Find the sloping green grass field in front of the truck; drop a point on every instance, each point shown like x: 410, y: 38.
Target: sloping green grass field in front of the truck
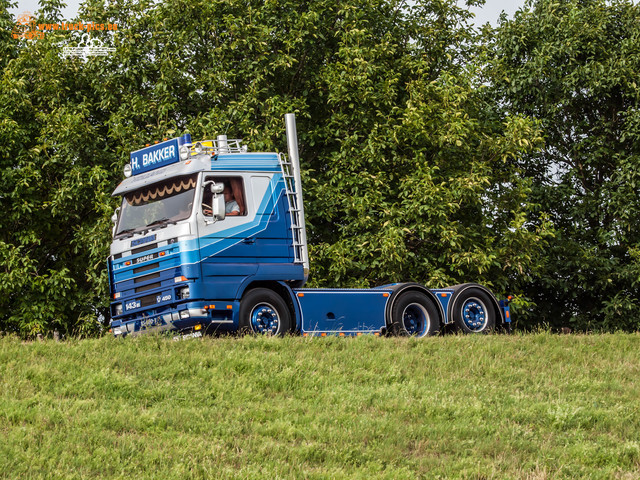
x: 522, y: 406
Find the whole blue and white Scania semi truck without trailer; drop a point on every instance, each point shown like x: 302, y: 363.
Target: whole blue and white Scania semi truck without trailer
x: 211, y: 238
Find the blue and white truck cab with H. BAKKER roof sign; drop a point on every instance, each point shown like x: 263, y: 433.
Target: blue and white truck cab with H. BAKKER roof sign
x: 179, y: 261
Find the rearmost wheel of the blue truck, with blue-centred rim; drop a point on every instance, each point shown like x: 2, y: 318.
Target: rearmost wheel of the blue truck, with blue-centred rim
x: 473, y: 311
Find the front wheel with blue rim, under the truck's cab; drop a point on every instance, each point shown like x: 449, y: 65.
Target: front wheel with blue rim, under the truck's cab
x: 263, y: 311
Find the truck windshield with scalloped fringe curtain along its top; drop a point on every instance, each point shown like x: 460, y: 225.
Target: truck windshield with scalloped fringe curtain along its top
x: 158, y: 204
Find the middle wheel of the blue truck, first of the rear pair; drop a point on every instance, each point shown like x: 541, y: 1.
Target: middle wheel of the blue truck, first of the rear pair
x: 414, y: 314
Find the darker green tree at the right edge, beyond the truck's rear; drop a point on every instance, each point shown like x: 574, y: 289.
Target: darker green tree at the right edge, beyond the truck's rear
x: 573, y: 66
